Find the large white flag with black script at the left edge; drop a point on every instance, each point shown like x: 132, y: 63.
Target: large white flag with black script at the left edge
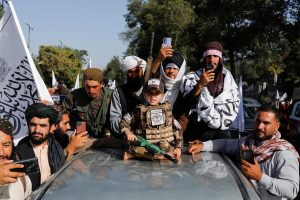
x: 21, y: 84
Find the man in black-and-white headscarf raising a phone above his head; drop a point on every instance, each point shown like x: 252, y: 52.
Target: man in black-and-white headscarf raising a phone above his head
x: 172, y: 68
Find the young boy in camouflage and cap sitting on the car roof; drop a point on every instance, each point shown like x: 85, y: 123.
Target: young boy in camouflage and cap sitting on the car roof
x: 154, y: 122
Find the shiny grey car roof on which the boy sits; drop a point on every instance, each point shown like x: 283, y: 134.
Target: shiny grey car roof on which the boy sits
x: 103, y: 174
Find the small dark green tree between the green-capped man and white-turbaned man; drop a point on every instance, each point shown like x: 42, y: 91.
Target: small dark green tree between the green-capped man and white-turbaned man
x: 114, y: 72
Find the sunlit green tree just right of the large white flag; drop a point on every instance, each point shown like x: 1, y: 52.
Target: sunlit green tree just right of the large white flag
x: 65, y: 62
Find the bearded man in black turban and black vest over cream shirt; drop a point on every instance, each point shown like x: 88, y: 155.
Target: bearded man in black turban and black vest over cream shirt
x: 40, y: 142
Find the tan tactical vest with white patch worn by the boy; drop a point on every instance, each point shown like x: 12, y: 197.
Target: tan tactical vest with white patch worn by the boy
x: 156, y: 123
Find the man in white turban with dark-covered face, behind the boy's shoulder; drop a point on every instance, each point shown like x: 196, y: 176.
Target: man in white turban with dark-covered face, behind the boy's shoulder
x: 127, y: 96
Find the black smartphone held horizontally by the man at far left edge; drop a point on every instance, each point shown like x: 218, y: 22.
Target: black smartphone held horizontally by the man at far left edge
x: 30, y: 166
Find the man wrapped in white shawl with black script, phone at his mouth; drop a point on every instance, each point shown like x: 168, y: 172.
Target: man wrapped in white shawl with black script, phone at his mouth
x: 208, y: 99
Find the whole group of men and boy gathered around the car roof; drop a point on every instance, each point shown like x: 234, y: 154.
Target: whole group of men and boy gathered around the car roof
x: 201, y: 106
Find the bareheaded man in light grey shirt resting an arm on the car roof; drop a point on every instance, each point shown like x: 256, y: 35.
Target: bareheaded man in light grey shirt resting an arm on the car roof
x: 276, y: 167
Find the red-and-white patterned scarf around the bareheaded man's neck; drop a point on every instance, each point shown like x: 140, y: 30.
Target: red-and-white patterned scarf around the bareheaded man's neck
x: 264, y: 150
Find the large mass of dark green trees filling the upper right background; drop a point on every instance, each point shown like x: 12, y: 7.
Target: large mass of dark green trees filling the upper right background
x: 262, y: 35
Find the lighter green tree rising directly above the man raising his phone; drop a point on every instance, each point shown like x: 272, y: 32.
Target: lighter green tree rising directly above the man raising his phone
x: 164, y: 17
